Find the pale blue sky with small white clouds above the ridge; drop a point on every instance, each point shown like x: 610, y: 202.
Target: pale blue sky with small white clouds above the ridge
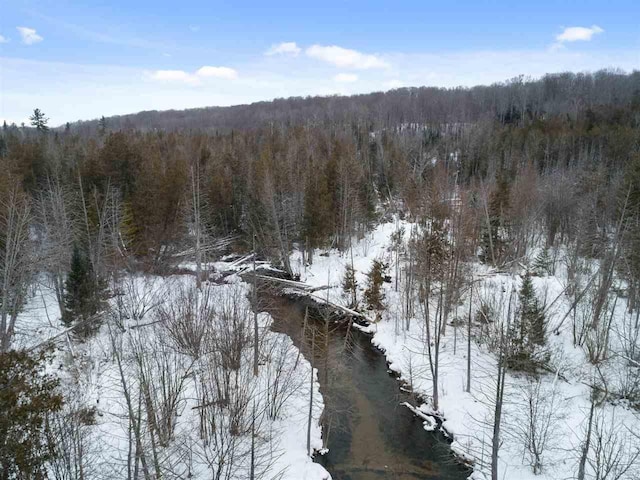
x: 81, y: 60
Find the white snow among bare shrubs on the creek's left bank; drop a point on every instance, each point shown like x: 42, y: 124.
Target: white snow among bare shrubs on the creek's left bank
x: 90, y: 377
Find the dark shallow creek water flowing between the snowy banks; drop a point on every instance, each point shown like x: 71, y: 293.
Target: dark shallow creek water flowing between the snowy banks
x: 370, y: 436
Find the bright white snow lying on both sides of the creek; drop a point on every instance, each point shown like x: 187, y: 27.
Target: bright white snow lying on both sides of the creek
x: 93, y: 379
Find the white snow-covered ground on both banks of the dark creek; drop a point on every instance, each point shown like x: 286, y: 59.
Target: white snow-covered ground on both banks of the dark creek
x: 92, y: 378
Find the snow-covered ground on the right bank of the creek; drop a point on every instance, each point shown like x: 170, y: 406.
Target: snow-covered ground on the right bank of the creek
x: 563, y: 393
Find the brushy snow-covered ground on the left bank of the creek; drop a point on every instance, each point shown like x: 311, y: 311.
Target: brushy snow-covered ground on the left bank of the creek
x: 91, y: 377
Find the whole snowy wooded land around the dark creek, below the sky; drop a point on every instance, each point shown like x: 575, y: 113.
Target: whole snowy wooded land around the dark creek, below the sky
x: 512, y: 220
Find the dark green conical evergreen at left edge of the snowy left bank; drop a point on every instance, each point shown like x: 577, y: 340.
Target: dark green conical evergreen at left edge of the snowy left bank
x: 84, y: 294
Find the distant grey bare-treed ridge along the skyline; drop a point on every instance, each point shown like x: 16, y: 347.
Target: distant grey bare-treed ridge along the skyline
x: 514, y: 101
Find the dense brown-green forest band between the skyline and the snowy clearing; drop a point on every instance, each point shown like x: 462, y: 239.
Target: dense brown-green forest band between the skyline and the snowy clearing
x: 560, y: 153
